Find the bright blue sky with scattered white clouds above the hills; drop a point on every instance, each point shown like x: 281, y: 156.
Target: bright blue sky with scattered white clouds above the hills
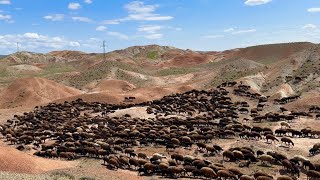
x: 47, y: 25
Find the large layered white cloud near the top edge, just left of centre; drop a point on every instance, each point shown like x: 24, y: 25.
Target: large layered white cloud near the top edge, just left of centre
x: 138, y: 11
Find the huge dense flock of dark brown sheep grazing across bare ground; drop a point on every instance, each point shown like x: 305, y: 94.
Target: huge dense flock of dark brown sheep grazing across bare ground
x: 192, y: 120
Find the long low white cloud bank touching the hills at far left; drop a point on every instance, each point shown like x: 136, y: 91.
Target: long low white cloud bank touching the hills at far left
x: 35, y: 42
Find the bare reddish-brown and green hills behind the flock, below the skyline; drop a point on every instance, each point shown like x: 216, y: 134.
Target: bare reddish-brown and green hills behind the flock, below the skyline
x: 152, y: 71
